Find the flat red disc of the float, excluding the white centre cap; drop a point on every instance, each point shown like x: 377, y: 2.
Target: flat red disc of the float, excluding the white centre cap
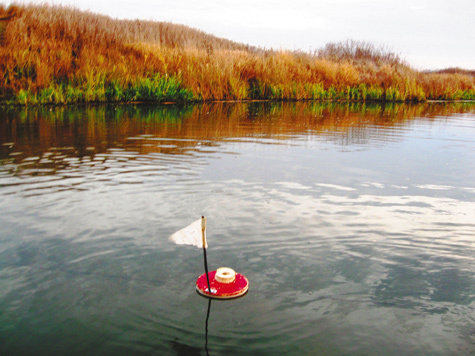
x: 220, y: 290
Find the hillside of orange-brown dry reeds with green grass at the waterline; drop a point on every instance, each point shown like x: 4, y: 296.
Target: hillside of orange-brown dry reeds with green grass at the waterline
x: 54, y: 54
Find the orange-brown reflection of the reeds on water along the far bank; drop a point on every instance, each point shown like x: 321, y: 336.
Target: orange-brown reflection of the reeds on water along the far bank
x: 86, y: 132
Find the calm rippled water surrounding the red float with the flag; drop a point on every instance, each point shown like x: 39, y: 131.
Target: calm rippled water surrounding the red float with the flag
x: 354, y: 224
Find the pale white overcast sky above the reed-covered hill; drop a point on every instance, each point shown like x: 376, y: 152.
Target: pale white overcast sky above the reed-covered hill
x: 427, y: 34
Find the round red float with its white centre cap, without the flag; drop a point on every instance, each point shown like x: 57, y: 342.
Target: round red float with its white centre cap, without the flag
x: 224, y: 284
